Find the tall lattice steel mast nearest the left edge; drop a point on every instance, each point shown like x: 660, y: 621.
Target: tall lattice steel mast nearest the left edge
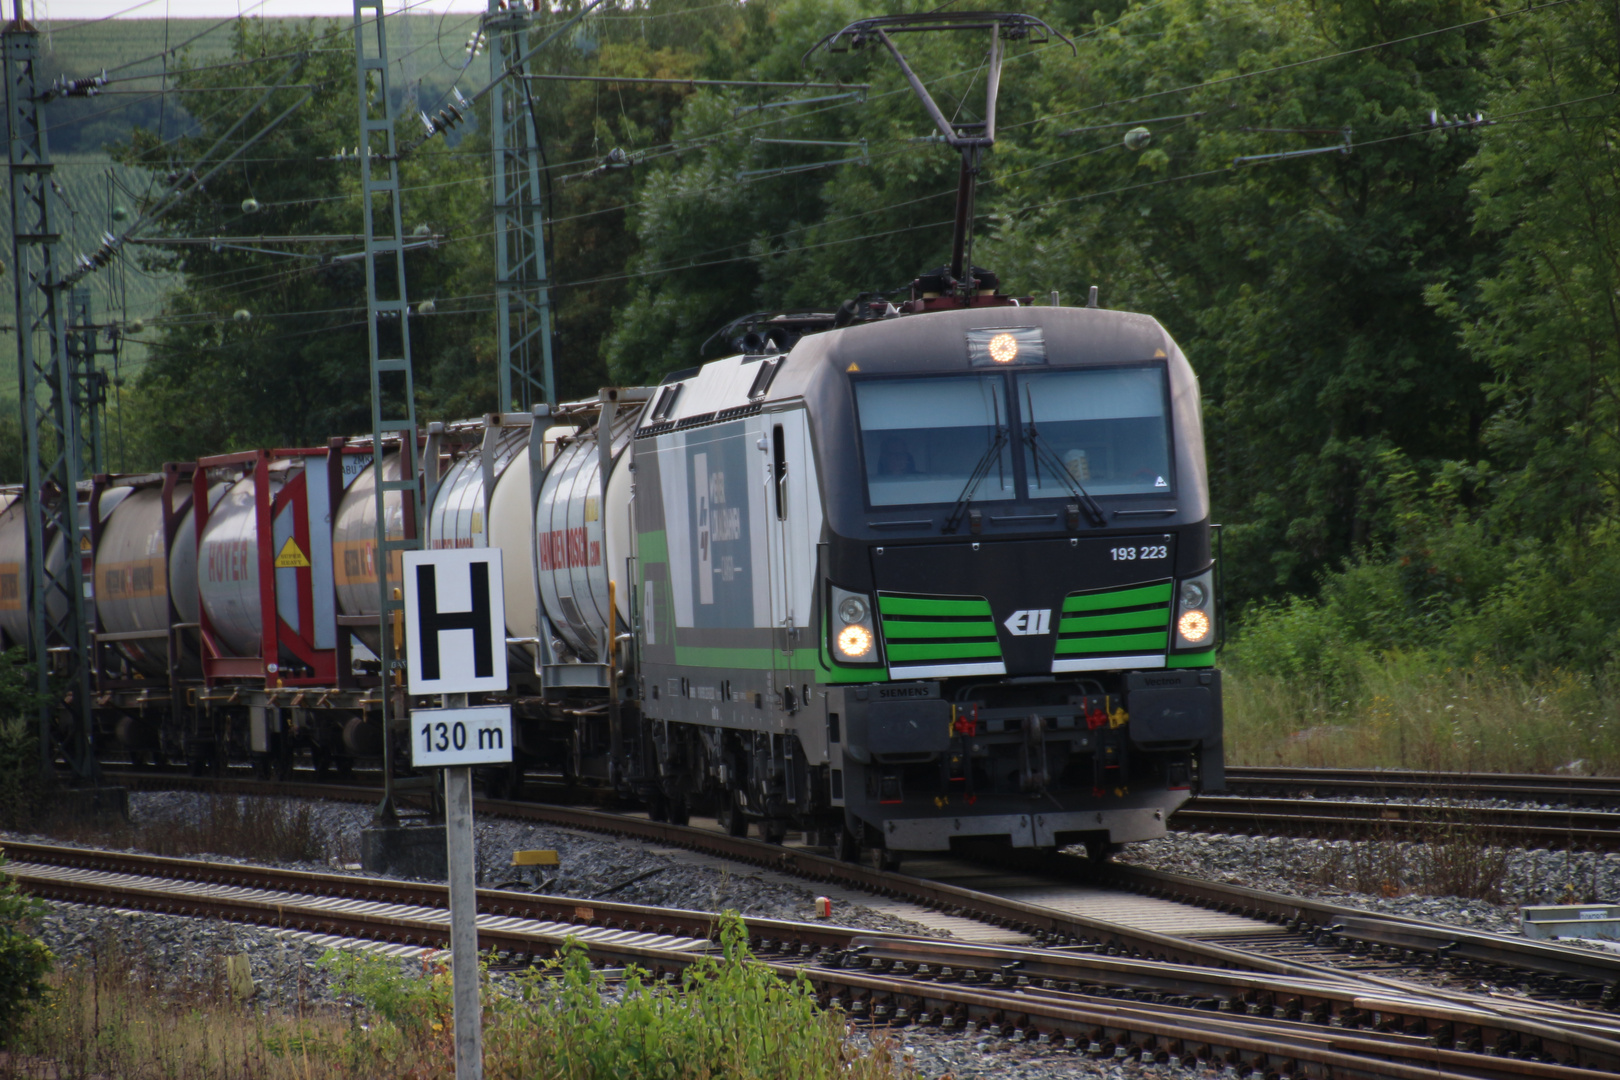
x: 54, y: 595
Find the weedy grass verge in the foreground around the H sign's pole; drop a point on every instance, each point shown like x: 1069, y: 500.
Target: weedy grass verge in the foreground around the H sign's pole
x: 727, y: 1019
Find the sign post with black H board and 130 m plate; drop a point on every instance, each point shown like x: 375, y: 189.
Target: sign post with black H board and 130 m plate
x: 456, y: 645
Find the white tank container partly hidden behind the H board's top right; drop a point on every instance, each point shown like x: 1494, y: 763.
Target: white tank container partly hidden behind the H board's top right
x: 458, y: 519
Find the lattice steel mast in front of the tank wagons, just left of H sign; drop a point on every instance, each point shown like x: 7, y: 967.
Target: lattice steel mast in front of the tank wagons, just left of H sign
x: 388, y: 323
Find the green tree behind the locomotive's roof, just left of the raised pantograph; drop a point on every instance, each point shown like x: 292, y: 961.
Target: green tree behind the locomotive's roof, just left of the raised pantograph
x: 741, y: 224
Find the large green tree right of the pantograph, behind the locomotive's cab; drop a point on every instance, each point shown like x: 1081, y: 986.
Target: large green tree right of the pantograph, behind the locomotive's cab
x: 1297, y: 286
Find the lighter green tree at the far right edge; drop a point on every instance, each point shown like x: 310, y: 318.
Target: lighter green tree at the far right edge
x: 1548, y: 320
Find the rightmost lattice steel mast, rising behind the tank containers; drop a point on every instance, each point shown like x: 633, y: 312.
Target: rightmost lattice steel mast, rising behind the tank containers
x: 522, y: 287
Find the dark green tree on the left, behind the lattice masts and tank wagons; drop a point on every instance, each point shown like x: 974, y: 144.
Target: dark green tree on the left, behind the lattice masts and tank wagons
x: 266, y: 346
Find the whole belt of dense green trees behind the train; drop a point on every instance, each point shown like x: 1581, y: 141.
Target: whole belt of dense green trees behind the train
x: 1409, y: 346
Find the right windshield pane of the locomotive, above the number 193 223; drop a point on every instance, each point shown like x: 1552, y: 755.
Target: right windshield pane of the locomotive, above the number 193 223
x: 1107, y: 427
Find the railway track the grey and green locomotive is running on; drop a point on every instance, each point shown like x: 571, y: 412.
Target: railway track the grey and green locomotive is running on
x: 1274, y: 933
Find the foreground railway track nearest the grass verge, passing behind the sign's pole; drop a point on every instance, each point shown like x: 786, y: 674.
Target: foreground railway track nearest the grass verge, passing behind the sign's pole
x: 1081, y: 1001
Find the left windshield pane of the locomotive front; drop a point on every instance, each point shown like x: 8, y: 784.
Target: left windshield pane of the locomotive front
x: 923, y: 438
